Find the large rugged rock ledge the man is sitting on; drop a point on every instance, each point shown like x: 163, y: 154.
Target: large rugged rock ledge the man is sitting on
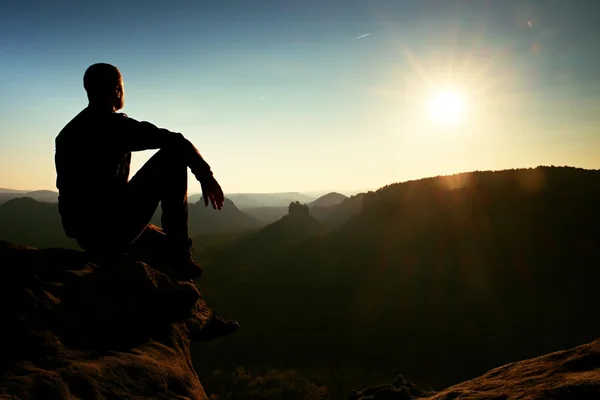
x: 78, y: 327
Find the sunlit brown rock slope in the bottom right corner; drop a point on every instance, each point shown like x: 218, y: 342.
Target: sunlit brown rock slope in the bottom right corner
x: 572, y: 374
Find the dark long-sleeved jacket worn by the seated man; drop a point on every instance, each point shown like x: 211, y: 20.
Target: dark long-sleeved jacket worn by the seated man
x: 93, y: 156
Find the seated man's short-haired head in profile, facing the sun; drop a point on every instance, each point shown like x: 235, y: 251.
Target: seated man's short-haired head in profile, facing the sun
x: 104, y: 86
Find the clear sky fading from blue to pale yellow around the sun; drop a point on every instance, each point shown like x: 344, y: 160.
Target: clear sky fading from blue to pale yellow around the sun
x: 313, y: 94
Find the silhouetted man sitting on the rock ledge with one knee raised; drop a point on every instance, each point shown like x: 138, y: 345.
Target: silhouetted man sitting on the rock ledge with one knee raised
x: 99, y: 205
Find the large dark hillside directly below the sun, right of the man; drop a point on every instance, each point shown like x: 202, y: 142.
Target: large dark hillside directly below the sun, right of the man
x: 483, y: 267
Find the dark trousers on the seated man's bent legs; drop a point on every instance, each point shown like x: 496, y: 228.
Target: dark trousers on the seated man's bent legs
x: 163, y: 179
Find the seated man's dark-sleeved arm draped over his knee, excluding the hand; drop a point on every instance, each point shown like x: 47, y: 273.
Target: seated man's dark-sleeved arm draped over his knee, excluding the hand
x: 141, y: 135
